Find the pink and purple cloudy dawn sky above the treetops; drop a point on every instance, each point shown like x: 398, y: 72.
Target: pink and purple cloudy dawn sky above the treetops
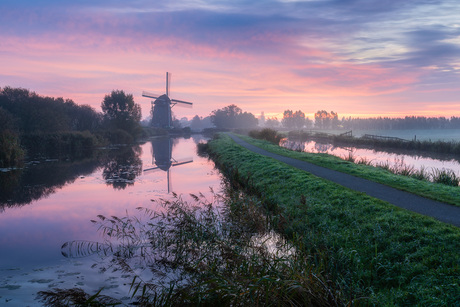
x: 359, y: 58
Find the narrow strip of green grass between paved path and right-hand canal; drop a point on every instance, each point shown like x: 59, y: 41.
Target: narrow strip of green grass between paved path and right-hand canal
x: 435, y: 191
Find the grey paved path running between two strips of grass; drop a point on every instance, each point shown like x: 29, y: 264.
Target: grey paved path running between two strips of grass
x: 441, y: 211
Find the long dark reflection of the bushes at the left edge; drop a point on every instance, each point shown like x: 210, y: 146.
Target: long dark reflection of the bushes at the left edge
x: 21, y: 187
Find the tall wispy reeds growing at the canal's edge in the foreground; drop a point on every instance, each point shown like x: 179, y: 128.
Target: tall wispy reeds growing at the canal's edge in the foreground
x: 212, y: 253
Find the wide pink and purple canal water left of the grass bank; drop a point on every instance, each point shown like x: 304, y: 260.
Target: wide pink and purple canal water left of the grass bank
x: 51, y: 202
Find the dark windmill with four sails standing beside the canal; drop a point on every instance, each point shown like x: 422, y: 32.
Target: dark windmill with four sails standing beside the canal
x: 161, y: 115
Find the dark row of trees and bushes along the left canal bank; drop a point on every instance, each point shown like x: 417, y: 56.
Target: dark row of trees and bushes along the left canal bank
x: 39, y: 122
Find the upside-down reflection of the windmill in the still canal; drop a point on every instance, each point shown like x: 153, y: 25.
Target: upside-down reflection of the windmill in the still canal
x: 162, y: 158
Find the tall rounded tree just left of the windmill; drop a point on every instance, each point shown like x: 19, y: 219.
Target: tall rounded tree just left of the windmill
x: 121, y: 112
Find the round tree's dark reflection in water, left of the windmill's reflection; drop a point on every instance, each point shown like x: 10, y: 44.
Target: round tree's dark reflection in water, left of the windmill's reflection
x: 122, y: 166
